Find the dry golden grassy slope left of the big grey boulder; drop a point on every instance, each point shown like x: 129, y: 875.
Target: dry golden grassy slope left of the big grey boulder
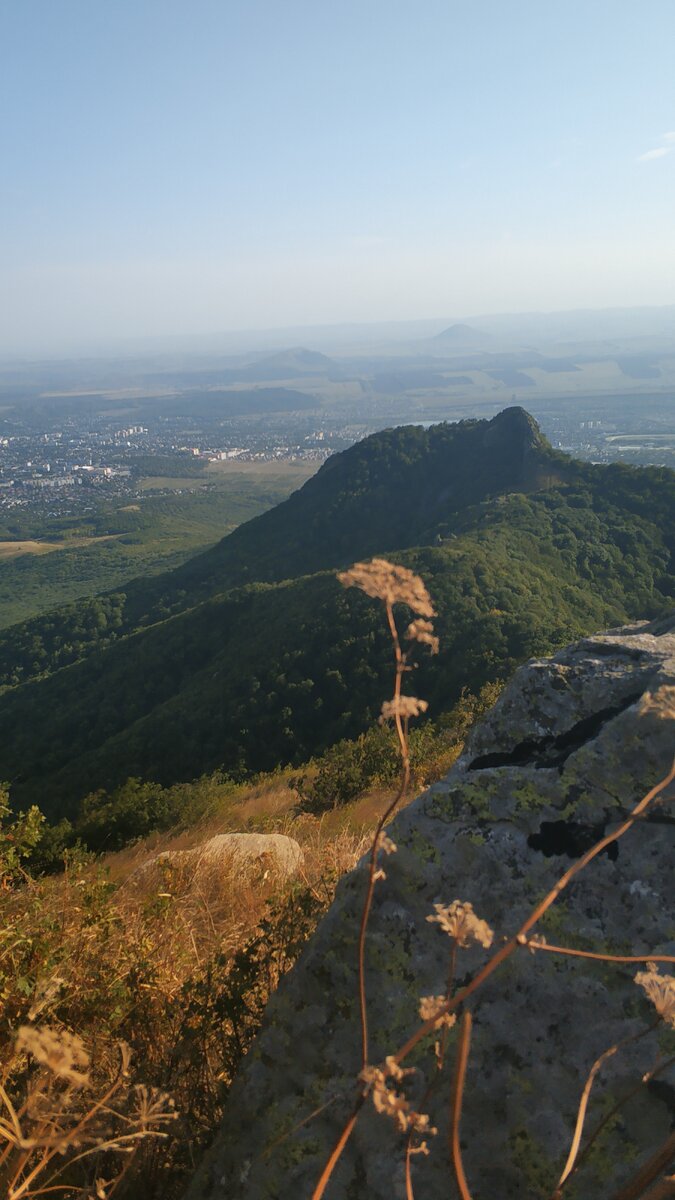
x: 175, y: 964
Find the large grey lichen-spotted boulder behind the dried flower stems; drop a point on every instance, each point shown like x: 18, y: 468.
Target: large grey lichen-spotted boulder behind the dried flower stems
x: 563, y: 757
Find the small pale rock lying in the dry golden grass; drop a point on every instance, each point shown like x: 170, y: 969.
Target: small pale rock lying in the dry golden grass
x: 242, y: 853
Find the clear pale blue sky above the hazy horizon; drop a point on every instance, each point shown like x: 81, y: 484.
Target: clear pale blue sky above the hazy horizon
x: 182, y: 167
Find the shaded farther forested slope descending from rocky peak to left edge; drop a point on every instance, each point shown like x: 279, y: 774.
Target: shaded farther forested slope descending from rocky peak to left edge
x: 390, y: 491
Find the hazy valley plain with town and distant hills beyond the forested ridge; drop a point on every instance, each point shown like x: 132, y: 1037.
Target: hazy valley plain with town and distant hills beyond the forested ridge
x: 129, y: 465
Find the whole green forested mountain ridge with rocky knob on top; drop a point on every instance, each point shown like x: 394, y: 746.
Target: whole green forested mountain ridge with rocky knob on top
x: 252, y: 655
